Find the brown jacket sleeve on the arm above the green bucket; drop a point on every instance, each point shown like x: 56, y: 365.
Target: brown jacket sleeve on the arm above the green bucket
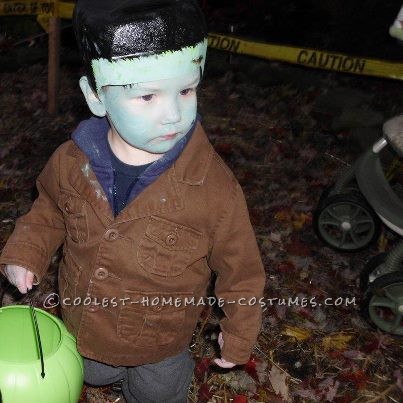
x: 38, y: 234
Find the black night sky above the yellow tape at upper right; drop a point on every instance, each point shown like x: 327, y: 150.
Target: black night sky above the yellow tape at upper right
x: 357, y: 27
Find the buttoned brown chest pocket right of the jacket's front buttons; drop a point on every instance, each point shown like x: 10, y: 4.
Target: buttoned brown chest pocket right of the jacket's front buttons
x: 167, y: 248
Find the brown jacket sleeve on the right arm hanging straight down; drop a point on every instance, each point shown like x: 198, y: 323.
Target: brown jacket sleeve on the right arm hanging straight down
x: 240, y: 279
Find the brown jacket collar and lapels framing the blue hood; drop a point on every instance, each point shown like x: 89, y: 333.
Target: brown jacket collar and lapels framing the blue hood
x: 190, y: 167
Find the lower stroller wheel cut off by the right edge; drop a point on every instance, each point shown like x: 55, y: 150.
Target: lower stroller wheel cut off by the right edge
x: 383, y: 303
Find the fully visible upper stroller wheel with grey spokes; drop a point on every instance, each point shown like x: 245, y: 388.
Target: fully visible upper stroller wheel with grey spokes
x: 346, y: 222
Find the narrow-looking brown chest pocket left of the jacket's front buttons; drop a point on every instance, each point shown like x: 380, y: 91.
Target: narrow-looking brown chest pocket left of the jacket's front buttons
x: 75, y: 217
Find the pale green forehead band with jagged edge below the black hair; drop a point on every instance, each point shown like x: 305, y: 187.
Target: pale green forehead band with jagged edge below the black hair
x: 140, y: 69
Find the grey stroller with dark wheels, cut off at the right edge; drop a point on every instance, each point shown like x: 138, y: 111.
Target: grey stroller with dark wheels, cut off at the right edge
x: 348, y: 218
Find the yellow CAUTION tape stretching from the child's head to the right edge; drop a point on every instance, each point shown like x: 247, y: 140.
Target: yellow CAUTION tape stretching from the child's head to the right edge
x: 309, y: 57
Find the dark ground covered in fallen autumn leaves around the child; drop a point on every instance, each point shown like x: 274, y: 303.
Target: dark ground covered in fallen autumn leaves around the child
x: 286, y: 138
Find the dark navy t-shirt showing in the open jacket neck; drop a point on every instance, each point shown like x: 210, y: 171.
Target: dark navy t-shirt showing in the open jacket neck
x: 125, y: 177
